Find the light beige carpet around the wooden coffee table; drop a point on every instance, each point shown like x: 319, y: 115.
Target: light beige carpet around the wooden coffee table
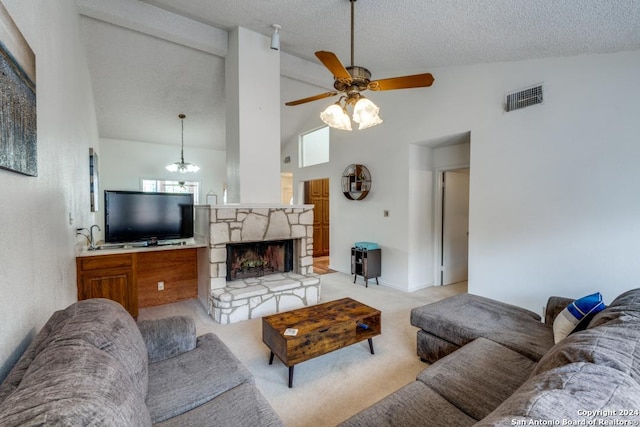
x: 330, y: 388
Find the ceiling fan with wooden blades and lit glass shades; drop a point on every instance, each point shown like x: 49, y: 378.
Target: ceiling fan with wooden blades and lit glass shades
x: 351, y: 81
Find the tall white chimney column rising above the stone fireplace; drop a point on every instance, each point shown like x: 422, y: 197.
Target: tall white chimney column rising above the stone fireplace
x: 253, y: 118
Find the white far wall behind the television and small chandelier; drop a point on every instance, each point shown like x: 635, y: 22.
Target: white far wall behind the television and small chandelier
x: 124, y: 163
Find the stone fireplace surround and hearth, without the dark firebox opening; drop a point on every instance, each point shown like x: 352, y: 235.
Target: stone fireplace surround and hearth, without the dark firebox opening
x: 234, y: 301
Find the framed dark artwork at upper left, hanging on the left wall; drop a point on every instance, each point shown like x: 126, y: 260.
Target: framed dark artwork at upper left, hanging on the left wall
x: 18, y: 142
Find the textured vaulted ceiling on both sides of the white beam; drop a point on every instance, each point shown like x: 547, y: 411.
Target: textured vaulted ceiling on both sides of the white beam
x: 141, y: 81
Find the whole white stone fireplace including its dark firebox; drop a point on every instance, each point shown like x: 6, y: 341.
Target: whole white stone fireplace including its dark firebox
x: 270, y: 268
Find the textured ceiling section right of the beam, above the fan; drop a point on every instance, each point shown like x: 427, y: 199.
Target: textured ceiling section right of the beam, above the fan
x: 419, y: 34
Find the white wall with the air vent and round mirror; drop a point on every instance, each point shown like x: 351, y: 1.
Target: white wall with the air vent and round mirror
x: 552, y: 206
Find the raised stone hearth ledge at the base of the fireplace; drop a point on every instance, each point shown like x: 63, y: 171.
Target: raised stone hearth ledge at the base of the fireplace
x: 256, y: 297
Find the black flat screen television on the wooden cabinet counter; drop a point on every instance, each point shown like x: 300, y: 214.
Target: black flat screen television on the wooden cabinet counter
x: 135, y: 216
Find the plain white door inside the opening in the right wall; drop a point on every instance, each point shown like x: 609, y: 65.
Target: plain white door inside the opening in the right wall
x: 454, y: 226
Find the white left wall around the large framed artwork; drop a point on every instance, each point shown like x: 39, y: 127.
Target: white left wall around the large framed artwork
x: 37, y: 254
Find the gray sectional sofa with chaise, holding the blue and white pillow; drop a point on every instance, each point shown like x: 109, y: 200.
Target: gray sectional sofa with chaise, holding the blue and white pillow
x: 495, y: 364
